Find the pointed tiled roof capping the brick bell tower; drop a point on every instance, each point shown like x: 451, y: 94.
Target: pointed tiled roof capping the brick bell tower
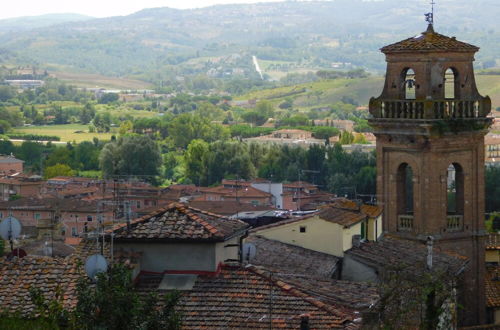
x: 429, y: 41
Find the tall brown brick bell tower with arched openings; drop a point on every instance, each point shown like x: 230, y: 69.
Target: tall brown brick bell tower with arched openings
x: 430, y: 123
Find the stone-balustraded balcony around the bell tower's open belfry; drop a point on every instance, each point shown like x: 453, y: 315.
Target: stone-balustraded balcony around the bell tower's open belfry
x: 430, y: 109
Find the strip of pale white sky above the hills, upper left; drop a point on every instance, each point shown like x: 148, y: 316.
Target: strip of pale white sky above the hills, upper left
x: 101, y: 8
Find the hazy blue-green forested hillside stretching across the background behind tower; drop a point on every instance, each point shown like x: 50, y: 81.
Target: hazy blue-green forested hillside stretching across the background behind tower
x: 155, y: 43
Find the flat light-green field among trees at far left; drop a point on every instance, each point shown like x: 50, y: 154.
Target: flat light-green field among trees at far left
x: 65, y: 132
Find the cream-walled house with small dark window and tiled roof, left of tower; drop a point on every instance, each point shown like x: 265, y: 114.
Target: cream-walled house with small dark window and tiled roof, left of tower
x: 331, y: 230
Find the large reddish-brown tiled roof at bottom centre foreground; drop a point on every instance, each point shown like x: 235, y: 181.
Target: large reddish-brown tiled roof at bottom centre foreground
x: 240, y: 297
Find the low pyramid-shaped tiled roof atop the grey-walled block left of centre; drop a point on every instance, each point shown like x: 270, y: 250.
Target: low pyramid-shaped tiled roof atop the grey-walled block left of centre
x: 179, y: 222
